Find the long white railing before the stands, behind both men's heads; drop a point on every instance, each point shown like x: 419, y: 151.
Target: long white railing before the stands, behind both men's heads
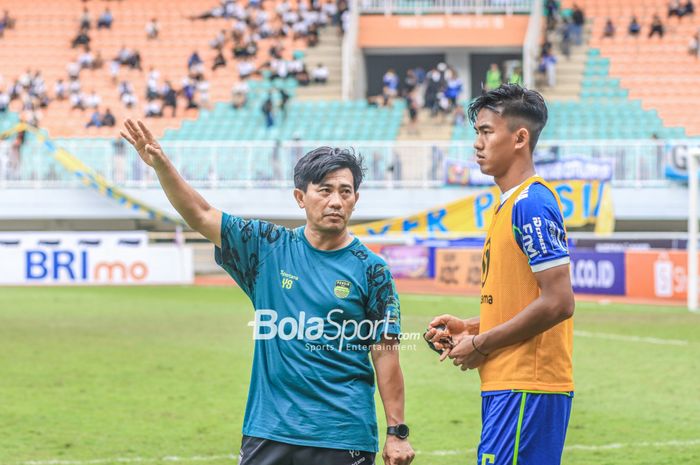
x: 390, y: 164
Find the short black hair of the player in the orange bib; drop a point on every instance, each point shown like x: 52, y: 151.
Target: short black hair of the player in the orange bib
x: 520, y: 106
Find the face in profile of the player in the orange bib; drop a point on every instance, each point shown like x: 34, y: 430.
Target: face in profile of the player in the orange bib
x: 494, y: 144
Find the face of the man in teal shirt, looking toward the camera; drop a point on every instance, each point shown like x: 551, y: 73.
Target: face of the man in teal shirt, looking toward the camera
x: 329, y: 204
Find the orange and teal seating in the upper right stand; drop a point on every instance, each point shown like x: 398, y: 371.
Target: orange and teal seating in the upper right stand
x: 656, y: 71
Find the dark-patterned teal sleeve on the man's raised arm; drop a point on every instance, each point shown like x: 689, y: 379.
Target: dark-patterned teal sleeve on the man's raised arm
x: 244, y: 246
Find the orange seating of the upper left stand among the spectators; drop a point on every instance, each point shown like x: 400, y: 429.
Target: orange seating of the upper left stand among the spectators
x: 41, y: 41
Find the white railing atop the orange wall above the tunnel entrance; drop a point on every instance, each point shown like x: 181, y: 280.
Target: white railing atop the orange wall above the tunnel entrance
x: 416, y: 7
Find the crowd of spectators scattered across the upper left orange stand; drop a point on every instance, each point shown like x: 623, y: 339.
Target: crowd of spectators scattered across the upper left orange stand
x: 249, y: 25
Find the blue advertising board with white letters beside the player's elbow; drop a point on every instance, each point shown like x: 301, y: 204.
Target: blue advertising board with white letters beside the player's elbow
x: 598, y: 273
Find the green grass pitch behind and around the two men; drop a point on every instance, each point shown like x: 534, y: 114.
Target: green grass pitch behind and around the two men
x: 106, y: 373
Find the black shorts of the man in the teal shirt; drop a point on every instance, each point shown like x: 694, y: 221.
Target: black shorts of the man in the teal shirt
x: 257, y: 451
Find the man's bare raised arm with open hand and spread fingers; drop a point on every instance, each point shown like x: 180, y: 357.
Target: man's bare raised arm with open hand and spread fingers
x: 196, y: 211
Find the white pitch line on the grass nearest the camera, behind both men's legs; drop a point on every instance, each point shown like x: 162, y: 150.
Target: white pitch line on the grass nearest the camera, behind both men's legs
x: 210, y: 458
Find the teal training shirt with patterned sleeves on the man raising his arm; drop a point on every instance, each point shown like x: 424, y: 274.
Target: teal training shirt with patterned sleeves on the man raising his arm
x: 316, y: 315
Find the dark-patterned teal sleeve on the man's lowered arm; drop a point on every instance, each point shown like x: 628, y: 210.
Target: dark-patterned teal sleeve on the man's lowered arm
x: 383, y: 300
